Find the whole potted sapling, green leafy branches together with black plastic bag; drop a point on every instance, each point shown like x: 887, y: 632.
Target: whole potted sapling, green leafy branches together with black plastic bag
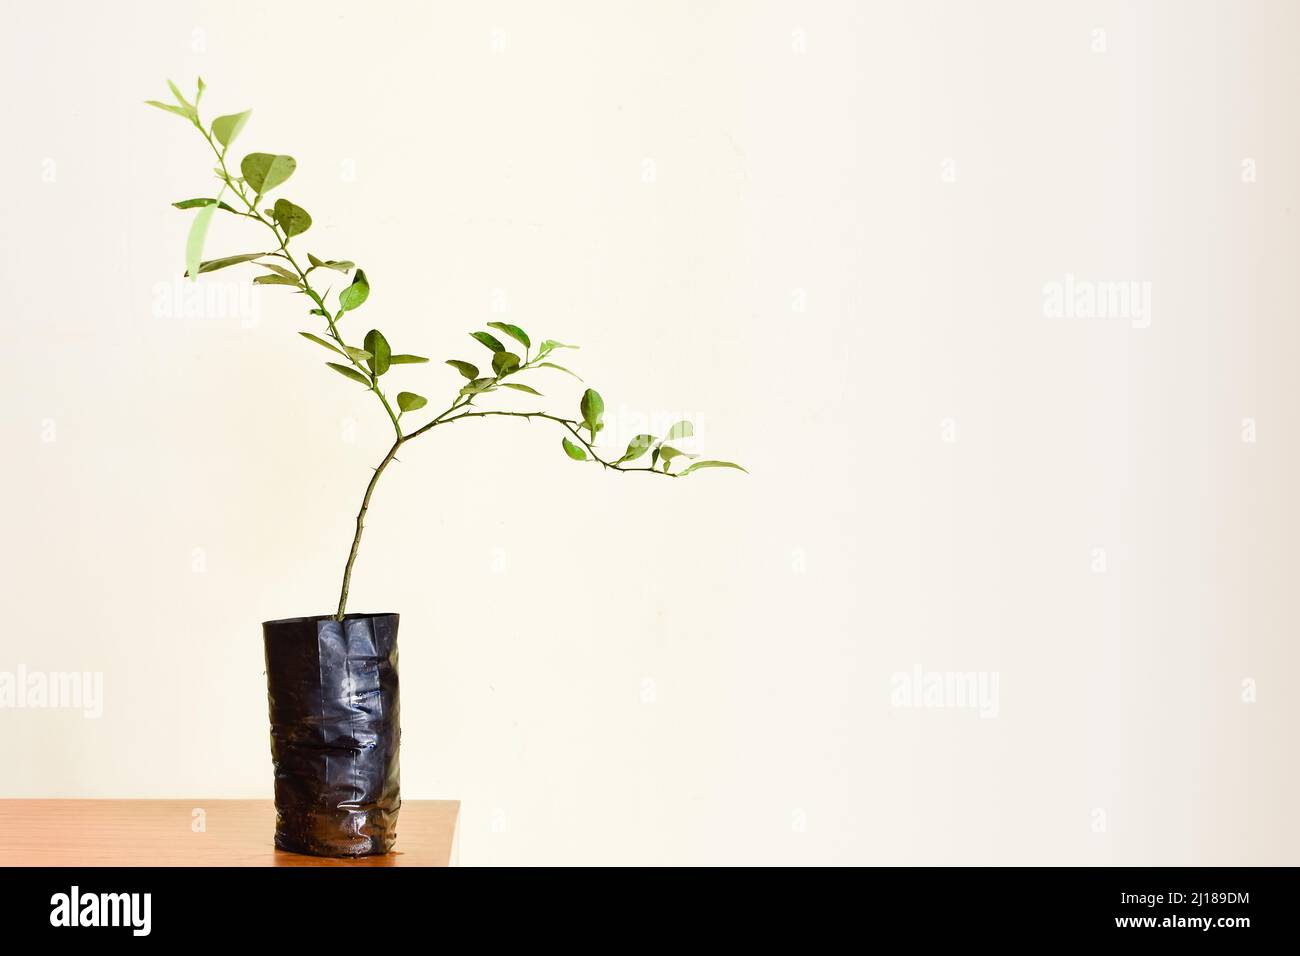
x: 333, y: 680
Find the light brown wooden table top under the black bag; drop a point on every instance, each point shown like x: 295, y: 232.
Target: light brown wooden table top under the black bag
x: 197, y: 833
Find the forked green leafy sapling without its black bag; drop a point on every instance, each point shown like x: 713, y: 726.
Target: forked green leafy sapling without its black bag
x: 369, y: 364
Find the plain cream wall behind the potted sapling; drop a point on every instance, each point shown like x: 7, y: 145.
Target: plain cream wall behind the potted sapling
x: 821, y: 231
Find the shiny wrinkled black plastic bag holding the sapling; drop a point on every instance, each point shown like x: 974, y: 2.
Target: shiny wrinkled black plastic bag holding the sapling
x: 333, y: 691
